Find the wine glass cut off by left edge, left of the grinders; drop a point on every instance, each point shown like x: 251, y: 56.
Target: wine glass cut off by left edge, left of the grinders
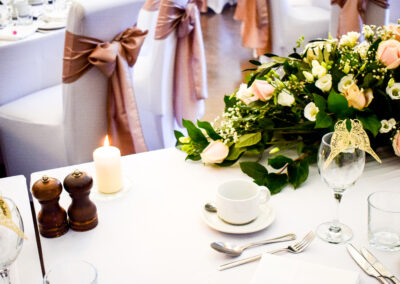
x: 10, y: 242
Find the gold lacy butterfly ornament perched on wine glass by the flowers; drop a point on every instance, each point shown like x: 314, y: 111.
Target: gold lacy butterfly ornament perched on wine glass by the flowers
x: 355, y: 138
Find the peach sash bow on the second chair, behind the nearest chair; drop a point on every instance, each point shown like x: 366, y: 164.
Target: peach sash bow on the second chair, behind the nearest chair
x: 190, y: 78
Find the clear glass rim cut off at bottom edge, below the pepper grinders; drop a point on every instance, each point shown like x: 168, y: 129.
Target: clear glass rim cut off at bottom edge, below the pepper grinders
x: 74, y: 271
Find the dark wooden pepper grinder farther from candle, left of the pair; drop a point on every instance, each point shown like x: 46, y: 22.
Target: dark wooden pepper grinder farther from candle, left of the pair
x: 52, y: 217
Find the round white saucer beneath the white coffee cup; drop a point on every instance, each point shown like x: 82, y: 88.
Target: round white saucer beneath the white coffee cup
x: 266, y: 217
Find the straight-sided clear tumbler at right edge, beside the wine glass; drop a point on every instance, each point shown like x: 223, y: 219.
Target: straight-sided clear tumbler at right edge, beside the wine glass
x: 384, y: 220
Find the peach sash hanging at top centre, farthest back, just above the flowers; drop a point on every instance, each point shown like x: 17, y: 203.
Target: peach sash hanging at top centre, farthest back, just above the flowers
x: 256, y: 24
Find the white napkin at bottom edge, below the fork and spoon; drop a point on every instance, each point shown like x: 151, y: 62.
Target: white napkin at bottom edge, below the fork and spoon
x: 288, y: 270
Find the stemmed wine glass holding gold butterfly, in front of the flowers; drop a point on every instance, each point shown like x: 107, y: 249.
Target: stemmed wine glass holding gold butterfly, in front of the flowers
x: 343, y: 171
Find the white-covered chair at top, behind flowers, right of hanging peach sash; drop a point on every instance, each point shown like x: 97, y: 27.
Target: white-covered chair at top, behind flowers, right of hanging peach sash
x: 289, y: 23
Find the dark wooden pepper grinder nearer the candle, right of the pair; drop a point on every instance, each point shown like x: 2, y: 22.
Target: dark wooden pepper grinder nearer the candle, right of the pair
x: 82, y: 212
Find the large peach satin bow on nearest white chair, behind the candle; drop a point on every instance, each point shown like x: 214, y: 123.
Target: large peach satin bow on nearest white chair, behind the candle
x: 113, y: 59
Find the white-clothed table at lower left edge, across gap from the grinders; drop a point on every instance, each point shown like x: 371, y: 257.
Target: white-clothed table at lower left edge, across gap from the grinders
x: 27, y: 265
